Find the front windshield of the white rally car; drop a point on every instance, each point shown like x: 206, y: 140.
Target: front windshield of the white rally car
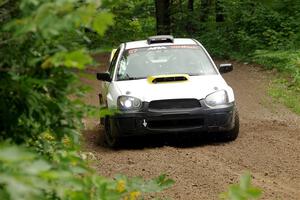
x: 164, y: 60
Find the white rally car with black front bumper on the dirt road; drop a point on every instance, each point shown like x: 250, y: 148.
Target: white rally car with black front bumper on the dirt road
x: 165, y: 84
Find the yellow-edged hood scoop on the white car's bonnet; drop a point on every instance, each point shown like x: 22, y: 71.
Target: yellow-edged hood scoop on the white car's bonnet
x: 168, y: 78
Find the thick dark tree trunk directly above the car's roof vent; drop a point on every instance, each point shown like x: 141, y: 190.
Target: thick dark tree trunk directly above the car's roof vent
x: 163, y: 22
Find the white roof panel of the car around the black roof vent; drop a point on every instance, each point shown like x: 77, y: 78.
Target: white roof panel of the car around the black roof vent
x: 144, y: 43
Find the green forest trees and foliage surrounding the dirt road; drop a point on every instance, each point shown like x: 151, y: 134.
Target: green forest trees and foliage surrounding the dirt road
x: 44, y: 43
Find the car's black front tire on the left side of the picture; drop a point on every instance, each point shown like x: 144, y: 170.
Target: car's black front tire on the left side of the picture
x: 111, y: 139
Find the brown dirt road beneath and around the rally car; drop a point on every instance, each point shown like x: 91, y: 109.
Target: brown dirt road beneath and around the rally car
x: 268, y: 146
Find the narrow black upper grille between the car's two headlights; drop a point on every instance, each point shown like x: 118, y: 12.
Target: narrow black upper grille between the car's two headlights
x: 174, y: 104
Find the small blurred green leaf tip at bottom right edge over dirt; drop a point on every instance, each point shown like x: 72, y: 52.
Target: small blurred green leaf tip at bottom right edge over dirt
x: 242, y: 191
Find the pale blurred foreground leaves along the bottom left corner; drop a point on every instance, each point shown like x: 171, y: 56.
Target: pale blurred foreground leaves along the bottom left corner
x: 24, y: 175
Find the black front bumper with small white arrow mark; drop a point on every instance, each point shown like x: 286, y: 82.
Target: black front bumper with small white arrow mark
x: 202, y: 119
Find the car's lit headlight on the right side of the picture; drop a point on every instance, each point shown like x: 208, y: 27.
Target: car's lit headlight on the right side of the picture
x: 217, y: 98
